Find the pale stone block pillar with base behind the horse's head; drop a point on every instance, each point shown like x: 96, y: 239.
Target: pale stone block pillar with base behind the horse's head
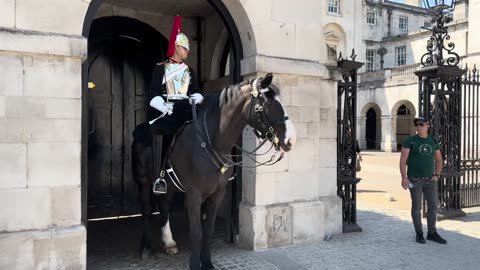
x: 294, y: 201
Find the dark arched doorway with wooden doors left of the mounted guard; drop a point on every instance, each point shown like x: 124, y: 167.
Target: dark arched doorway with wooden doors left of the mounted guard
x: 122, y: 53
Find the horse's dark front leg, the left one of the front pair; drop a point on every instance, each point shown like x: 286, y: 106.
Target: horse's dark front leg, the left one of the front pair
x: 194, y: 202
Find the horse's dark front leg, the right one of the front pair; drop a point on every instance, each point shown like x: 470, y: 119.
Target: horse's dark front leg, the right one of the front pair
x: 210, y: 207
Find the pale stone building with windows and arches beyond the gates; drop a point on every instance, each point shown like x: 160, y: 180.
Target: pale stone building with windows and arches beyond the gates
x: 392, y: 45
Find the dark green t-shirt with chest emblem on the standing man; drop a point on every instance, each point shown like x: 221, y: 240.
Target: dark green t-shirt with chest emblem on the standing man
x: 421, y: 160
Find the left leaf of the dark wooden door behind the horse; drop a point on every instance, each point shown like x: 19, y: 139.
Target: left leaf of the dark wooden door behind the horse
x: 105, y: 142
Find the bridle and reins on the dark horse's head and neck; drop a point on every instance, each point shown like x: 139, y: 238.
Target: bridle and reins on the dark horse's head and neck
x: 268, y: 133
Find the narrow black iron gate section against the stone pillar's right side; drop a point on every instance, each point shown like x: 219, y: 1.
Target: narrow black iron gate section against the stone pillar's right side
x: 346, y: 143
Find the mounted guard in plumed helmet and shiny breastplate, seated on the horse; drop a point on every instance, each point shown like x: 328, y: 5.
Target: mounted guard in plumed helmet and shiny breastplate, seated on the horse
x: 173, y: 88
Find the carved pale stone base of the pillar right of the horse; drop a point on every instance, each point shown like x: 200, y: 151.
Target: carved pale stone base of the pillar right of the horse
x: 286, y: 224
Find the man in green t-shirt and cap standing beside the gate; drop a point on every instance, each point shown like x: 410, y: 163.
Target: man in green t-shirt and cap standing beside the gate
x: 420, y: 167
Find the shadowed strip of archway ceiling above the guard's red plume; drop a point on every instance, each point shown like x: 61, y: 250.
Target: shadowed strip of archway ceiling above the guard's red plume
x: 185, y: 8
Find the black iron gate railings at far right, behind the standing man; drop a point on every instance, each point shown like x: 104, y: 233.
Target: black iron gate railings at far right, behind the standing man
x: 470, y: 158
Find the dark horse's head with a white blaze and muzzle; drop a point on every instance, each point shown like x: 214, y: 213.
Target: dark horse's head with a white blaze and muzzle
x: 267, y: 116
